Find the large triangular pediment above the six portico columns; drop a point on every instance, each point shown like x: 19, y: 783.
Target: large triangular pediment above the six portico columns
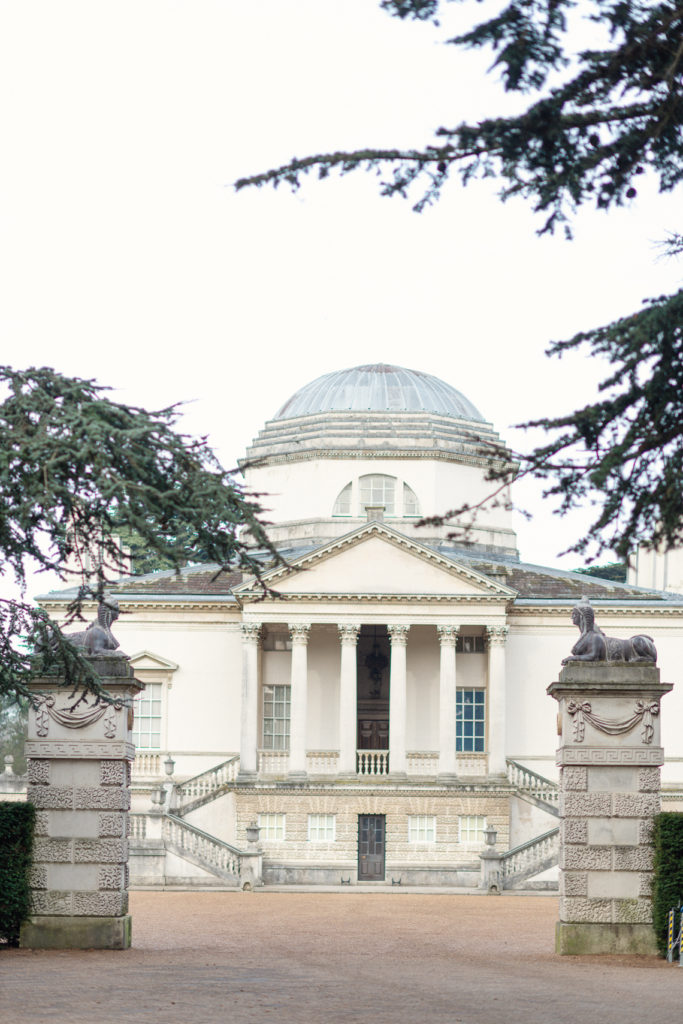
x: 376, y: 561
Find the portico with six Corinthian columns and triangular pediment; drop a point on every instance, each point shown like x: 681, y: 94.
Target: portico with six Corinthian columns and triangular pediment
x: 375, y: 687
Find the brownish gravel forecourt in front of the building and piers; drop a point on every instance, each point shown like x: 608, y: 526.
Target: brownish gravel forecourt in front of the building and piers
x: 200, y: 958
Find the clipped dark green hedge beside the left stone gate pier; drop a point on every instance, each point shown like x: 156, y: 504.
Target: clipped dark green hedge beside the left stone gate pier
x: 17, y: 827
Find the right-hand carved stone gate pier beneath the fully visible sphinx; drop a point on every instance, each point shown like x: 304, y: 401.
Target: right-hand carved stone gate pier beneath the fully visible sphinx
x: 610, y: 762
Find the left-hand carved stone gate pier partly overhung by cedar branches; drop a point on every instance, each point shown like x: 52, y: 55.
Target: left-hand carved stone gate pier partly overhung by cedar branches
x: 79, y: 778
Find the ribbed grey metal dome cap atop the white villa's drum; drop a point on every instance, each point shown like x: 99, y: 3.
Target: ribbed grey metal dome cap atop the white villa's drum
x: 379, y: 389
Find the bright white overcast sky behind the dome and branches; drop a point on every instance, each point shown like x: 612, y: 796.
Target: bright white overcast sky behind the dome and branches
x: 127, y: 257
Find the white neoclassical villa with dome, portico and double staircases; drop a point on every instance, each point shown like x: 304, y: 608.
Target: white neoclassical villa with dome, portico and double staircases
x: 388, y: 702
